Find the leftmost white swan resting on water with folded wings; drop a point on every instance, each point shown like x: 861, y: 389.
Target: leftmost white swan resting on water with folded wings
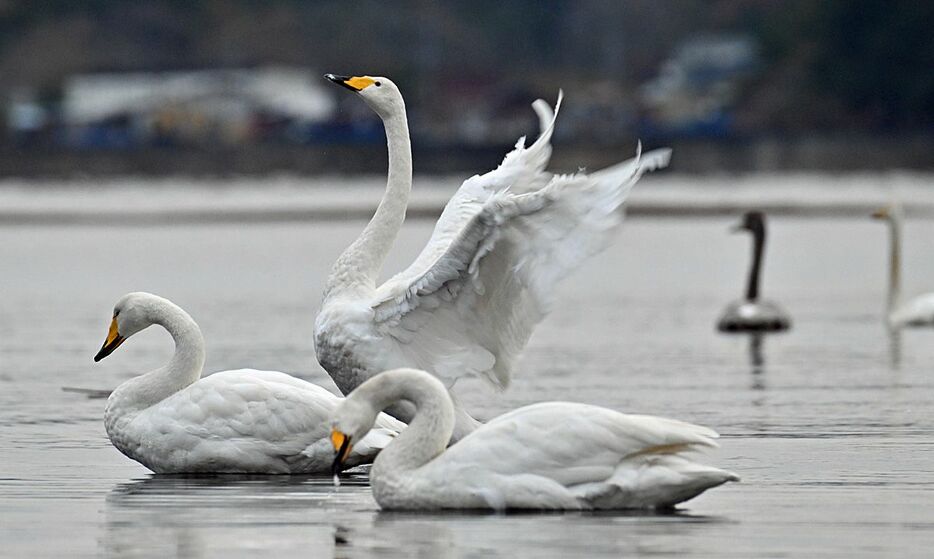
x: 246, y: 421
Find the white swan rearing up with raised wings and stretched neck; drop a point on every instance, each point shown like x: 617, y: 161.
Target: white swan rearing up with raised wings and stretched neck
x: 471, y: 299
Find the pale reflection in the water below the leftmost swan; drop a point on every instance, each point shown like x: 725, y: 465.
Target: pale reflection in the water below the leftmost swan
x: 206, y: 516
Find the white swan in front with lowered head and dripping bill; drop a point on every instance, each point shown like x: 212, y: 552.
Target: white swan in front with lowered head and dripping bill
x: 554, y: 455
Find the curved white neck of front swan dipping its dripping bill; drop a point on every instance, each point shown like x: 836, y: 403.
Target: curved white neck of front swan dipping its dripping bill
x: 428, y: 432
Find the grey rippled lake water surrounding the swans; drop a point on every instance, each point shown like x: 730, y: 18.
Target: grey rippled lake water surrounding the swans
x: 832, y: 431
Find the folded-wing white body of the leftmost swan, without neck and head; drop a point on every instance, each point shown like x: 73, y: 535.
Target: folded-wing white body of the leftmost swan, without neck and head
x: 243, y: 421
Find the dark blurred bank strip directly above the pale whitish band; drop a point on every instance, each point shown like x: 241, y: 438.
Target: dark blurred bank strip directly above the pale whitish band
x: 811, y: 153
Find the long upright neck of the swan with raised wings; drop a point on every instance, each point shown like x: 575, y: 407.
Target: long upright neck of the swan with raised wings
x: 359, y: 265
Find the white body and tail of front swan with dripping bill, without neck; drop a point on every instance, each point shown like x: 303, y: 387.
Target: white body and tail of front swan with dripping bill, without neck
x: 562, y: 455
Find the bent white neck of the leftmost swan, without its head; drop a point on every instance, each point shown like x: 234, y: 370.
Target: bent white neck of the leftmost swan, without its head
x: 182, y: 370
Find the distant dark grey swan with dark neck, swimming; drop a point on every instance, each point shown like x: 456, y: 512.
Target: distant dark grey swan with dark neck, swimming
x: 753, y: 314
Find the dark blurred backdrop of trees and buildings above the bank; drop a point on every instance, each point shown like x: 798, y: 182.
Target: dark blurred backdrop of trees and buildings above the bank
x: 167, y: 86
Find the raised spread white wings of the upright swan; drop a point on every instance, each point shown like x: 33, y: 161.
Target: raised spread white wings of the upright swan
x: 469, y: 302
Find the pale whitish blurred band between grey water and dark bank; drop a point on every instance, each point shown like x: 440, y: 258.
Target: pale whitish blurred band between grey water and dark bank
x: 287, y: 198
